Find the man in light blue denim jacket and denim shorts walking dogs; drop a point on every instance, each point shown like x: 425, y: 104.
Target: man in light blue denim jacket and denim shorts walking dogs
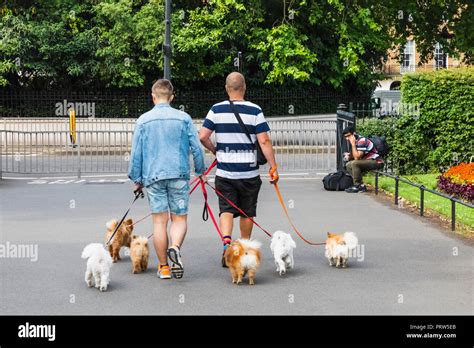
x: 159, y: 162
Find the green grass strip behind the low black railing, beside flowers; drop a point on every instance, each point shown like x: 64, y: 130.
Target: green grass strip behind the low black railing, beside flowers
x: 440, y: 205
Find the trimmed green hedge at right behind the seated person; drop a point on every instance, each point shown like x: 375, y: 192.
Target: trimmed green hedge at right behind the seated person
x: 442, y: 133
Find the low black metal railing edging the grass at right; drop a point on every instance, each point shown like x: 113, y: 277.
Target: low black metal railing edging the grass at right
x: 422, y: 188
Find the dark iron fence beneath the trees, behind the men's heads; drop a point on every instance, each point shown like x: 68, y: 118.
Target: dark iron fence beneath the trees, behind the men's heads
x: 131, y: 103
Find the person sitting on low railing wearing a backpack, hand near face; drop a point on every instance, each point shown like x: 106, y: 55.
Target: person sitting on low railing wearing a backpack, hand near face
x: 362, y: 158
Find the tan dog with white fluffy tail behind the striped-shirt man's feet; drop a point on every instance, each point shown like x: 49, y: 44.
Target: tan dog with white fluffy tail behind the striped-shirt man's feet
x: 243, y: 256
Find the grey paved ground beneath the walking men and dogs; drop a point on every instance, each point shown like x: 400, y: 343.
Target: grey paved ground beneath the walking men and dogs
x: 404, y: 259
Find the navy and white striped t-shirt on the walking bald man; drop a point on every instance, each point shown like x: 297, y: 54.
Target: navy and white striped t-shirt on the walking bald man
x: 234, y: 151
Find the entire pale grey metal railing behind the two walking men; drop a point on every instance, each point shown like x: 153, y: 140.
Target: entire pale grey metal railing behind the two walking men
x: 307, y: 145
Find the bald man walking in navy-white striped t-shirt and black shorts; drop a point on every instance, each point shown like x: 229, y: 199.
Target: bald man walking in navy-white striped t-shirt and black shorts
x: 237, y: 175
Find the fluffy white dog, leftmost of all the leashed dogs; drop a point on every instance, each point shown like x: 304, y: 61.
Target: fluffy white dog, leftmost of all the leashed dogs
x: 98, y: 265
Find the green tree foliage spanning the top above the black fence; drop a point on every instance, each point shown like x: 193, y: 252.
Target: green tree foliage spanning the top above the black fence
x: 336, y: 43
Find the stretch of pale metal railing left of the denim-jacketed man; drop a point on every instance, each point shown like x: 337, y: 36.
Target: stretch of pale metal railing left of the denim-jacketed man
x: 52, y: 152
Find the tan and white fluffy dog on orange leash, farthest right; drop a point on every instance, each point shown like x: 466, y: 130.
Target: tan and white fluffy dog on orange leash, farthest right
x: 338, y: 247
